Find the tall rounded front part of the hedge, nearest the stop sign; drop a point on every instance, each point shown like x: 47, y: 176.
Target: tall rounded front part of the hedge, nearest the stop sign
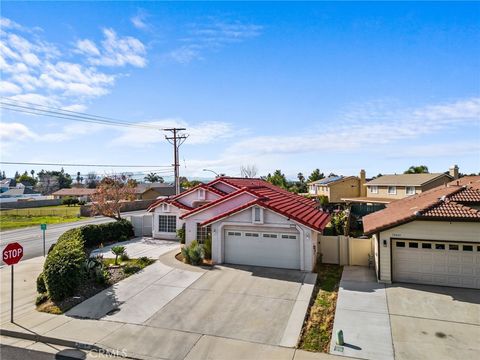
x: 63, y: 267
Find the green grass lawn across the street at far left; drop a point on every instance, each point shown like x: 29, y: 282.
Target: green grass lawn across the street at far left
x: 18, y: 218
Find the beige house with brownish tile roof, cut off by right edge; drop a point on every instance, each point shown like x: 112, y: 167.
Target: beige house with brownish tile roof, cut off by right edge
x: 430, y: 238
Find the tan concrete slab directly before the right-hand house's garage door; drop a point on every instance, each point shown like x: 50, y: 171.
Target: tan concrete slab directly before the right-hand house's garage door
x: 434, y: 322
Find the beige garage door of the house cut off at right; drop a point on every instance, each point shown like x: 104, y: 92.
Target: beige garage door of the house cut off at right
x: 437, y: 263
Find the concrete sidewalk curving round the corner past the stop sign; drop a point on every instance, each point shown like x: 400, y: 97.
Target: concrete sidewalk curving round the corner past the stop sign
x: 136, y: 341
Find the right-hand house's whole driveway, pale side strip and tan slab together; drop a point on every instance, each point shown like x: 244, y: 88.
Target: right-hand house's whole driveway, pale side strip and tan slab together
x: 405, y: 321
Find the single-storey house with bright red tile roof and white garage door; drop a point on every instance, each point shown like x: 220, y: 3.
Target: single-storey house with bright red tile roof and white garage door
x: 250, y: 222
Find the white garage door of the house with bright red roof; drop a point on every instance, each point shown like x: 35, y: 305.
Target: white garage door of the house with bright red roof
x: 262, y: 249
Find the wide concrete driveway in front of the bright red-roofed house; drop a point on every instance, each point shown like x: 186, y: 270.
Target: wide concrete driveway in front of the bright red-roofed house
x: 170, y: 299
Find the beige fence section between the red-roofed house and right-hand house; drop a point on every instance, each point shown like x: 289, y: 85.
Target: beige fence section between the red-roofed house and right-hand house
x: 344, y: 250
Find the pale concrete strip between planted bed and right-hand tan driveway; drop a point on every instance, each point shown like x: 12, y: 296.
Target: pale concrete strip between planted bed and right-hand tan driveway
x: 362, y: 314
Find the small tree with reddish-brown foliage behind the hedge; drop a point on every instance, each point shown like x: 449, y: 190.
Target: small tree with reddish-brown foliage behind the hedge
x: 110, y: 194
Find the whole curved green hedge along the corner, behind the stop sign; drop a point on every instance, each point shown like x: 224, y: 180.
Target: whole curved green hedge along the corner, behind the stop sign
x: 62, y: 271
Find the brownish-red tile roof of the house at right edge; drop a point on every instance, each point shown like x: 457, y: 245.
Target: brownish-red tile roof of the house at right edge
x: 441, y: 203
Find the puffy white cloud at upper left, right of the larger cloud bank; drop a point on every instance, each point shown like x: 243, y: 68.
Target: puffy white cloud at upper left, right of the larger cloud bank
x: 115, y: 50
